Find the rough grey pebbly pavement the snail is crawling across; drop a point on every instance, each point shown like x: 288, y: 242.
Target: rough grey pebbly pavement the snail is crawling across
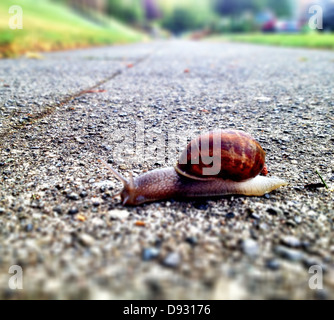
x: 126, y: 105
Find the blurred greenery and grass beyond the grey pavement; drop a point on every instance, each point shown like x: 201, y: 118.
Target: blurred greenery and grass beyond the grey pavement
x: 63, y: 24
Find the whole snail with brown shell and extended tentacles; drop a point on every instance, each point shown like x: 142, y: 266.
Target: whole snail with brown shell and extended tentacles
x: 217, y: 163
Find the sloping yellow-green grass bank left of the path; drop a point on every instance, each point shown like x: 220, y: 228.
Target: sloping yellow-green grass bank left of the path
x: 49, y: 26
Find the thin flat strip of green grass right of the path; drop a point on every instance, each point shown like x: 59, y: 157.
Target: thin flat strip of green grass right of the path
x: 307, y: 40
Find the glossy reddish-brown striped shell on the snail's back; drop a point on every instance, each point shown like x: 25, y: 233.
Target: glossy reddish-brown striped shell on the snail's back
x: 226, y: 154
